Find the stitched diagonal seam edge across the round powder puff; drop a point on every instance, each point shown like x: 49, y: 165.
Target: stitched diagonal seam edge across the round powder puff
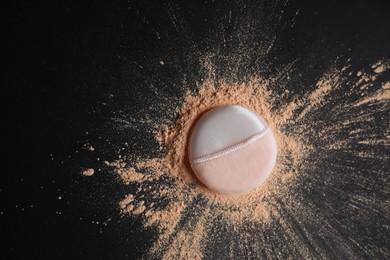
x: 231, y: 149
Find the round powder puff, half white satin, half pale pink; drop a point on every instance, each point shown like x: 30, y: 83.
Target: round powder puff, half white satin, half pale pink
x: 232, y: 150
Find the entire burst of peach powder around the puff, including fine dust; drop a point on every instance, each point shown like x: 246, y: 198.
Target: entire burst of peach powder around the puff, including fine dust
x: 330, y: 180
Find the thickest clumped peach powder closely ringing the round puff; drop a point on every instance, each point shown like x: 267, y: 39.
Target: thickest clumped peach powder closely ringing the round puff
x: 184, y: 242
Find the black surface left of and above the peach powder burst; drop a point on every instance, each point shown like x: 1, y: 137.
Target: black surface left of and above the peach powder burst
x: 63, y: 61
